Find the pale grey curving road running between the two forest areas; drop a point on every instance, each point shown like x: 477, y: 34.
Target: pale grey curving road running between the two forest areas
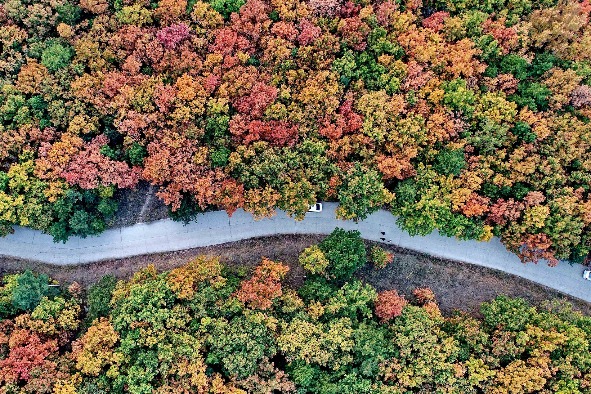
x: 214, y: 228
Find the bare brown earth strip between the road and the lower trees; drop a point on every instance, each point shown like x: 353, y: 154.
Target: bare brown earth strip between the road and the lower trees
x: 457, y: 285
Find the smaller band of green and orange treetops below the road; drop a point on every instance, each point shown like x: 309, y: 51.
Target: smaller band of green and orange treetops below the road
x: 202, y: 328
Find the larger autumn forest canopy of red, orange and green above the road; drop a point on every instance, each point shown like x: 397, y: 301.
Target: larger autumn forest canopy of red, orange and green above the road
x: 471, y: 117
